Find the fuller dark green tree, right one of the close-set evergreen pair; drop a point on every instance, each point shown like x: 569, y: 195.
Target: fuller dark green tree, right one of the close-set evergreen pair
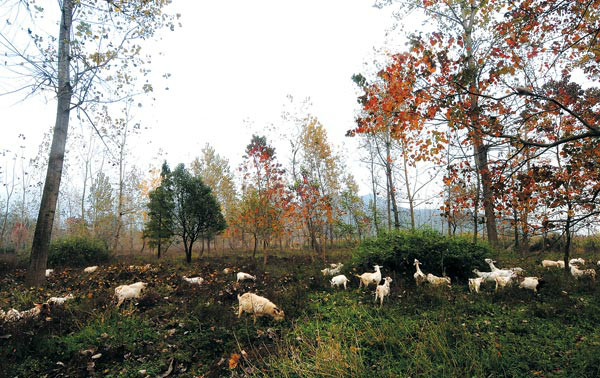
x: 197, y: 212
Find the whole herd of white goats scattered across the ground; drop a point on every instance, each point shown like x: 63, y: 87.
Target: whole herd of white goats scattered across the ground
x: 259, y: 306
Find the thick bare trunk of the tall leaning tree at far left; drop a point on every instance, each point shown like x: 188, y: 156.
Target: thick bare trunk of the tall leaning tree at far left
x: 36, y: 274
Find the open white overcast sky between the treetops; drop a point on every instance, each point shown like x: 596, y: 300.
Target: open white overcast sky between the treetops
x: 237, y: 60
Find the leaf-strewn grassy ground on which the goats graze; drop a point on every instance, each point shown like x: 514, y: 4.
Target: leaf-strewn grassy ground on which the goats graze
x: 420, y: 332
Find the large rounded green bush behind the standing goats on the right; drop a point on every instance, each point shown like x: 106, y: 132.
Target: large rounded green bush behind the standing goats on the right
x: 438, y: 254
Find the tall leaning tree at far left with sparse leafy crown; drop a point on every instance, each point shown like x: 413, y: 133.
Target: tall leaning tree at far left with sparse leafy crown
x: 97, y: 50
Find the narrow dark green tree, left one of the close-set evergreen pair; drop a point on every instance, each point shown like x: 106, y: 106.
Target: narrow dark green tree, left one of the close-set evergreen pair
x: 160, y: 225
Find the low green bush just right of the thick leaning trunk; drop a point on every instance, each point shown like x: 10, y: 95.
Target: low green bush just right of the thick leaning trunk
x: 78, y: 251
